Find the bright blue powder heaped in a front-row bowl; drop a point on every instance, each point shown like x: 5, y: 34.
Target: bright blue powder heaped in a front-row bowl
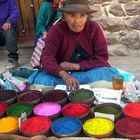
x: 66, y: 126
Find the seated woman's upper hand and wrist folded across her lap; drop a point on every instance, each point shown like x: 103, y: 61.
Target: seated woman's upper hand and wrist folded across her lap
x: 67, y: 66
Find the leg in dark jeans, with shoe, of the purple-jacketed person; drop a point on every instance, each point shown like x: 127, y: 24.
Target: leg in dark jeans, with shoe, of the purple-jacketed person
x: 11, y: 46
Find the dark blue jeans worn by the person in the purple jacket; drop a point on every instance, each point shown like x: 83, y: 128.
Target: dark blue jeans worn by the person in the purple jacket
x: 9, y: 38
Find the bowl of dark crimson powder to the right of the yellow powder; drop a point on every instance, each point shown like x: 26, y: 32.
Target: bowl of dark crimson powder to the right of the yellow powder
x: 128, y: 128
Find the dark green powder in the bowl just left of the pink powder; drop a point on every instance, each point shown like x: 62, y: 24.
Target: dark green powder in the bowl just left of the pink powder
x: 19, y: 108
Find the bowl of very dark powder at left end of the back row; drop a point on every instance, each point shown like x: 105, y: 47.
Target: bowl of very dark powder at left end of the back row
x: 8, y: 96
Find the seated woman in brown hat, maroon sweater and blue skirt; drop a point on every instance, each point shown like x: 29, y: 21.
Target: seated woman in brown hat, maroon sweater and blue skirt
x: 75, y: 50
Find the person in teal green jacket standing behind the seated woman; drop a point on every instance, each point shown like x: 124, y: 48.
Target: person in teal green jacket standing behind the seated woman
x: 47, y: 15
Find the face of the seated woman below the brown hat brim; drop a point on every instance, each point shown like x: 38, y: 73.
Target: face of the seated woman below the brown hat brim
x: 76, y: 21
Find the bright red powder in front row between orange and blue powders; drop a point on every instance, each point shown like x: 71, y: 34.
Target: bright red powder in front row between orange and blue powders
x: 36, y: 125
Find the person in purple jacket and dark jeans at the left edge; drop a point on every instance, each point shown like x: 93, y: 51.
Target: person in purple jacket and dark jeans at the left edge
x: 9, y: 14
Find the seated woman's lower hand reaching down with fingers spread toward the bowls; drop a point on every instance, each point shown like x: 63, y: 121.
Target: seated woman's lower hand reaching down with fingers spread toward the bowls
x: 71, y: 82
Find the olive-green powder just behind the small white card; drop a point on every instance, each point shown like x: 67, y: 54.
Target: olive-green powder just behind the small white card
x: 108, y: 110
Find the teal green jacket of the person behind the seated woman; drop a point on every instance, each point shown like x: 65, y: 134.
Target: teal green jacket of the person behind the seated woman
x: 43, y: 17
